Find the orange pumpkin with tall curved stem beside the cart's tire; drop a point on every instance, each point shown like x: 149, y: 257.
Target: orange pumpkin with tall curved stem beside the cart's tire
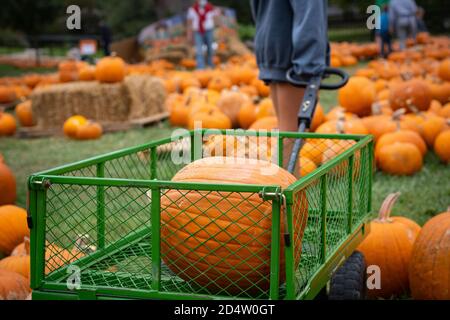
x: 389, y: 246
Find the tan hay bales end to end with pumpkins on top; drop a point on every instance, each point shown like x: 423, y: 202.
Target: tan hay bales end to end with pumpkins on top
x: 136, y: 97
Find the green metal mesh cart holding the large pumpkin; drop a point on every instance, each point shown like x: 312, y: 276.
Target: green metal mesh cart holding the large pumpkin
x: 96, y: 224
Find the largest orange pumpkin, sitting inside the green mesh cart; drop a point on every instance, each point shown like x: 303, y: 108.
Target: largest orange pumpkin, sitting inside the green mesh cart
x: 222, y: 240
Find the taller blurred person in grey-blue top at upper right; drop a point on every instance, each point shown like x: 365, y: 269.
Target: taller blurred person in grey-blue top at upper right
x: 402, y: 20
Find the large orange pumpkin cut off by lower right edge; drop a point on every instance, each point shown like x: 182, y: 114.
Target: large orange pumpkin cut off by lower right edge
x: 429, y: 270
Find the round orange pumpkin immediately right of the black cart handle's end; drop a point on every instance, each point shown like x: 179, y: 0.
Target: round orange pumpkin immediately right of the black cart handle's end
x: 357, y: 96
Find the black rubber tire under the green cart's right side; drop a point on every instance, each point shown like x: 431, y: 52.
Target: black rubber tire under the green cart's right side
x: 349, y: 281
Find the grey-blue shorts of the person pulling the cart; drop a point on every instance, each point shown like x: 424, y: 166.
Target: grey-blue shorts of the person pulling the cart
x: 290, y: 34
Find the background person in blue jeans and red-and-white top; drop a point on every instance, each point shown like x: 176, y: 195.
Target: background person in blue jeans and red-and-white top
x: 201, y: 29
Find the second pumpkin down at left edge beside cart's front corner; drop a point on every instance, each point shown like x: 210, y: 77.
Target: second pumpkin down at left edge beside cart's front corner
x: 13, y: 227
